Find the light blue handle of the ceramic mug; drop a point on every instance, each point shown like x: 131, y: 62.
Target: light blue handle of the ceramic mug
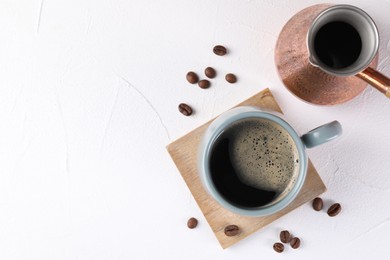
x: 322, y: 134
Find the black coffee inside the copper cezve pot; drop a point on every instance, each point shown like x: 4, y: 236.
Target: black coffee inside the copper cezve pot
x: 337, y: 44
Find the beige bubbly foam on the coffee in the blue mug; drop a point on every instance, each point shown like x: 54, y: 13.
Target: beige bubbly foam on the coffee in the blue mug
x: 263, y: 154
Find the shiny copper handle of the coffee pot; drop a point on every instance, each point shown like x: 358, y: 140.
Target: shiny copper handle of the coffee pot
x: 376, y: 79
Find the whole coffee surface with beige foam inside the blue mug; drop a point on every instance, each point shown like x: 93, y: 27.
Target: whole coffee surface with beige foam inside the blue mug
x: 254, y: 162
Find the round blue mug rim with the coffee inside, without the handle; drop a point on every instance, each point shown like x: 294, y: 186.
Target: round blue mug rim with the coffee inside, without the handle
x: 255, y: 163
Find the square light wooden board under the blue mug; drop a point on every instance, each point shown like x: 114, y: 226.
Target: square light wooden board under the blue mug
x: 184, y: 153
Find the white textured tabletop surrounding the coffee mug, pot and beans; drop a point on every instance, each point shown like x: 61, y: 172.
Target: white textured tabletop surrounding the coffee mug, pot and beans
x: 88, y: 101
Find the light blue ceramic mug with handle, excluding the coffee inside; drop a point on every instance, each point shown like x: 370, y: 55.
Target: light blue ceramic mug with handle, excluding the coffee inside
x: 315, y: 137
